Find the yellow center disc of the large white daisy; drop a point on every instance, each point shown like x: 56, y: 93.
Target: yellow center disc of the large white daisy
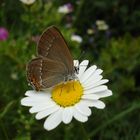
x: 67, y: 94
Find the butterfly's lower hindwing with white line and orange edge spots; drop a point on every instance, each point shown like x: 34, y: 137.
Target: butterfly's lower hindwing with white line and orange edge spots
x: 43, y: 73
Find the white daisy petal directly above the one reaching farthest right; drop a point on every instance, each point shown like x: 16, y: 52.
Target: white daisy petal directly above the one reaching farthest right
x: 96, y: 89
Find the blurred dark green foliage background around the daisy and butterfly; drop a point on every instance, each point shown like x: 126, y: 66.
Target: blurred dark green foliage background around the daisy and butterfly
x: 109, y: 35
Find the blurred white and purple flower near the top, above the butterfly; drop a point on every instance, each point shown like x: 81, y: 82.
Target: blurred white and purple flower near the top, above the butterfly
x: 66, y: 9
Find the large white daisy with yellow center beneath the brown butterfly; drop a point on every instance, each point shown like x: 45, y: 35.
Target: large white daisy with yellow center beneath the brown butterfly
x: 70, y: 100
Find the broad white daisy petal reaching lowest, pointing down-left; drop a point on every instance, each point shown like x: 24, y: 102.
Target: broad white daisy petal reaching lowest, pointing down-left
x: 53, y: 120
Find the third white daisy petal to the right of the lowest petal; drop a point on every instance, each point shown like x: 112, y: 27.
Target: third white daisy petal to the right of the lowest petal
x: 83, y: 109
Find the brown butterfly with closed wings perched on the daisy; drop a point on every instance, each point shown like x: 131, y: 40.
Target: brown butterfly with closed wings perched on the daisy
x: 54, y: 63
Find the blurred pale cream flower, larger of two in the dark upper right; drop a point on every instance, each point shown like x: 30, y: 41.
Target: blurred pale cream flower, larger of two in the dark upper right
x: 101, y: 25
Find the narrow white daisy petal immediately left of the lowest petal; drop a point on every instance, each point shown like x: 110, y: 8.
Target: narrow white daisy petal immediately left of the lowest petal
x: 47, y: 112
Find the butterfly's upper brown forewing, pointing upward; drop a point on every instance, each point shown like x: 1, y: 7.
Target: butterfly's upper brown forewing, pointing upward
x: 52, y: 45
